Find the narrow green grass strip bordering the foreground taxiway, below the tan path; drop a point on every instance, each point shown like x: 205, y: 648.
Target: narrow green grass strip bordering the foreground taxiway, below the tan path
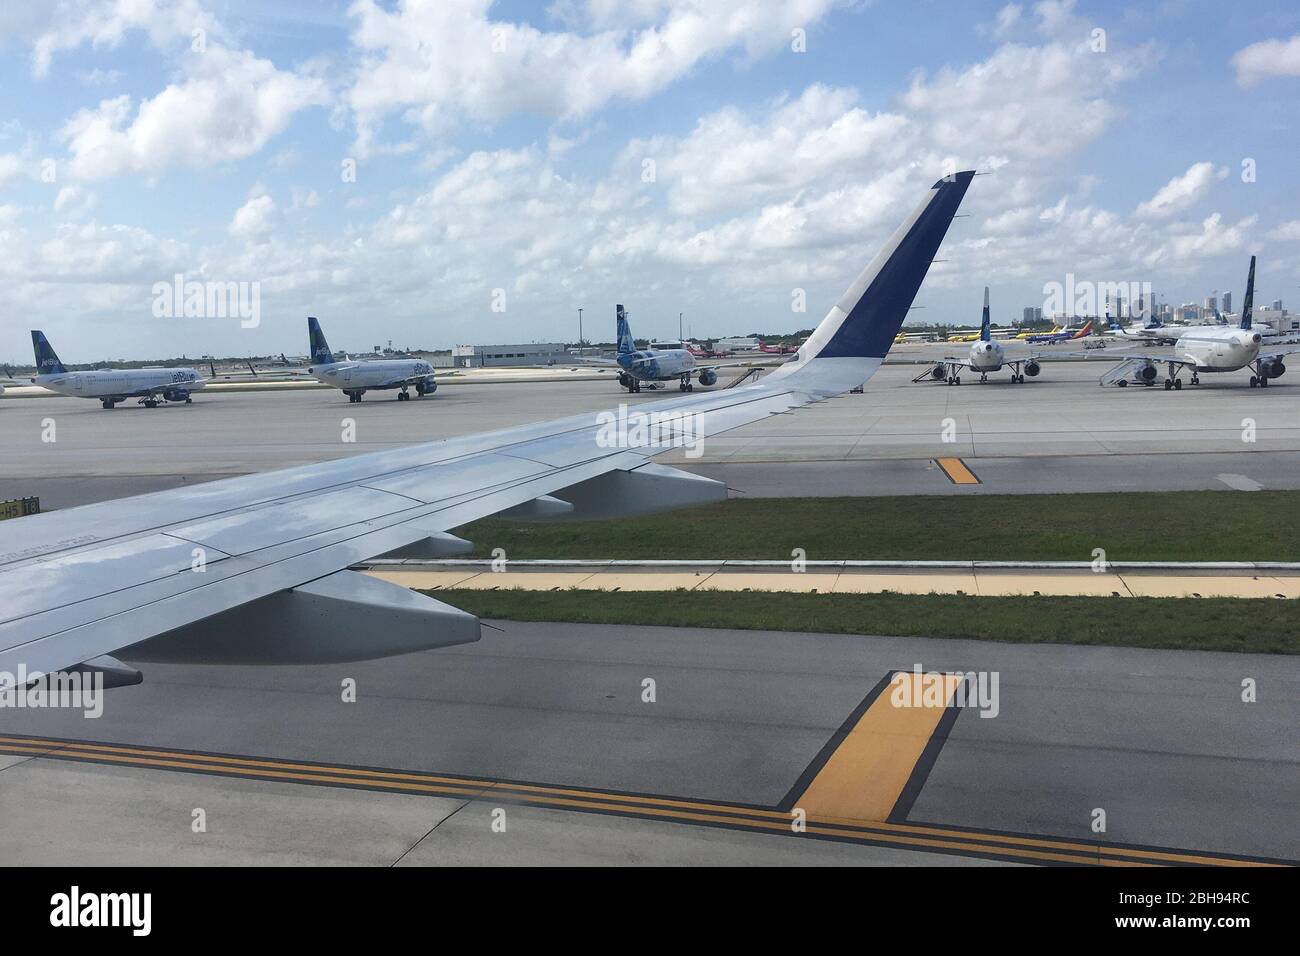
x: 1254, y: 626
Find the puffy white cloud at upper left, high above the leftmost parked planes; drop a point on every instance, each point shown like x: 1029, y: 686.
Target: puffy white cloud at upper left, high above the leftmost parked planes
x: 228, y: 107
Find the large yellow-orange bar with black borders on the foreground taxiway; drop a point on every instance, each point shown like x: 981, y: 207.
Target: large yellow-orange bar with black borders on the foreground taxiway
x: 866, y: 775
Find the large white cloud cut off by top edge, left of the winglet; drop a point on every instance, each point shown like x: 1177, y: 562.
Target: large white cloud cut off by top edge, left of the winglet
x: 441, y: 63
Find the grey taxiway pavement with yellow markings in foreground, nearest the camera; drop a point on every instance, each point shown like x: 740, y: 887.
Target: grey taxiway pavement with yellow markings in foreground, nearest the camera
x: 548, y: 729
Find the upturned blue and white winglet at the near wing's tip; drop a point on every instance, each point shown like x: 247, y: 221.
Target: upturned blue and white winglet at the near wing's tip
x: 863, y: 326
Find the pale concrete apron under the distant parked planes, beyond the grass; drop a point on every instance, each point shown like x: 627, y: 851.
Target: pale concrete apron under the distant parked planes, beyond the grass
x: 1058, y: 434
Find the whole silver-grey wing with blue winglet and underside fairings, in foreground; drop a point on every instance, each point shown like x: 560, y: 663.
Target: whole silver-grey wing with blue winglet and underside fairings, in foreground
x: 255, y: 569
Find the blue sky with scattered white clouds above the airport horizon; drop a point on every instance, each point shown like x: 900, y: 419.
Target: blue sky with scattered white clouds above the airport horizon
x: 441, y: 172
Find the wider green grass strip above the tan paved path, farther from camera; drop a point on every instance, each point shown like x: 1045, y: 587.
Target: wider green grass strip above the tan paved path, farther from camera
x: 1162, y: 526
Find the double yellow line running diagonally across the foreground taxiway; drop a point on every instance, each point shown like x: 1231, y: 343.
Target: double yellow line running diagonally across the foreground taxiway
x: 1011, y: 847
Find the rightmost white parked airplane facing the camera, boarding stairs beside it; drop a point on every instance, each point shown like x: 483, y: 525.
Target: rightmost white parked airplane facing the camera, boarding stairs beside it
x: 1208, y: 349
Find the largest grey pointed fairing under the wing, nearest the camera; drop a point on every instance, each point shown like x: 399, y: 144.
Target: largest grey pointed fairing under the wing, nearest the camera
x: 344, y: 617
